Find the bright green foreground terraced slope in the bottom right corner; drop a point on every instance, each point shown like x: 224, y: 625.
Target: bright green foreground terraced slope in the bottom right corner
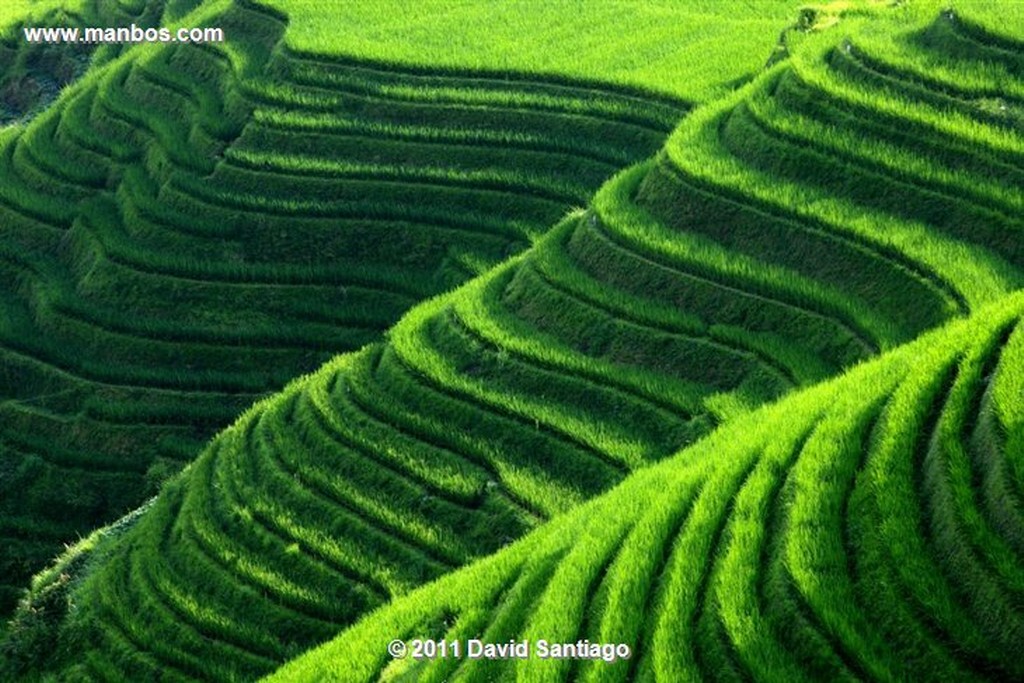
x: 867, y: 529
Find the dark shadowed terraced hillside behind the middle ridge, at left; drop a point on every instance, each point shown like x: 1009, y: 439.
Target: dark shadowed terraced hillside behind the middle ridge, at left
x: 191, y: 227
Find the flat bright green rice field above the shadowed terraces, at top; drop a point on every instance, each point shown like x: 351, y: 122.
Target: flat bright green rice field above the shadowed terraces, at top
x: 666, y: 48
